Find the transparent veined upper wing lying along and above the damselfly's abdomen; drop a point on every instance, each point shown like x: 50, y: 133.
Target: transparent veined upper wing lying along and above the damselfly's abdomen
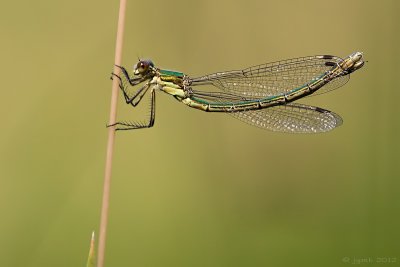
x: 274, y: 78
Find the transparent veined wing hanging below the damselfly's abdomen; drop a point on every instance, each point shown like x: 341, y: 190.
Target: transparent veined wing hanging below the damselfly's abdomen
x: 291, y: 118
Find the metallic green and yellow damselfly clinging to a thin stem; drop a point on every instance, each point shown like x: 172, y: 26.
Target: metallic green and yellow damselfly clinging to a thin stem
x: 261, y: 95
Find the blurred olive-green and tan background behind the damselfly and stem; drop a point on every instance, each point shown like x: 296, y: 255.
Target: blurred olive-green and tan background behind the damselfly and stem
x: 198, y: 189
